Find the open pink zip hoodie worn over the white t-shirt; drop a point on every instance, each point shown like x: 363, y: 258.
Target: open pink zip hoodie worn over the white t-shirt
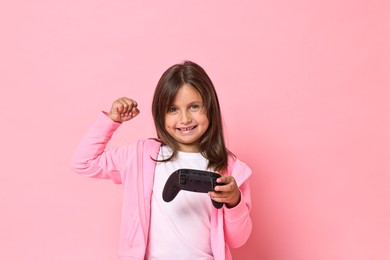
x: 133, y: 167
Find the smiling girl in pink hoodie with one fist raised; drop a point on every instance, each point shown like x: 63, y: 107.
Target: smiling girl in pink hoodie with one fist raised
x: 188, y: 123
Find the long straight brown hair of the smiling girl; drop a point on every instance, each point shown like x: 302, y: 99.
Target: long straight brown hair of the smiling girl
x: 212, y: 143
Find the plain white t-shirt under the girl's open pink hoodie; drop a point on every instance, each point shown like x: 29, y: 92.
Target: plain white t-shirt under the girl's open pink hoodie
x: 179, y: 229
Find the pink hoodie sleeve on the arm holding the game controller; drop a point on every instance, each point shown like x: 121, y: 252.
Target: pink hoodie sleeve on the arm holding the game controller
x: 237, y: 221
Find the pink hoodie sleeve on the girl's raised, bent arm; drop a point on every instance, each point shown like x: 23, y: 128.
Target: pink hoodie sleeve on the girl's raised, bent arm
x: 91, y: 157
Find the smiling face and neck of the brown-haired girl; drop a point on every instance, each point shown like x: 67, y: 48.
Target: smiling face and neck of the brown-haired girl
x: 186, y: 119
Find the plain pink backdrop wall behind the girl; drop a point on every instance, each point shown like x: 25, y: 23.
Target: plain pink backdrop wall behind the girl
x: 304, y: 88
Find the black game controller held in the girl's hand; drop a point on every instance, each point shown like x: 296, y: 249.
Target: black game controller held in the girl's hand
x: 191, y: 180
